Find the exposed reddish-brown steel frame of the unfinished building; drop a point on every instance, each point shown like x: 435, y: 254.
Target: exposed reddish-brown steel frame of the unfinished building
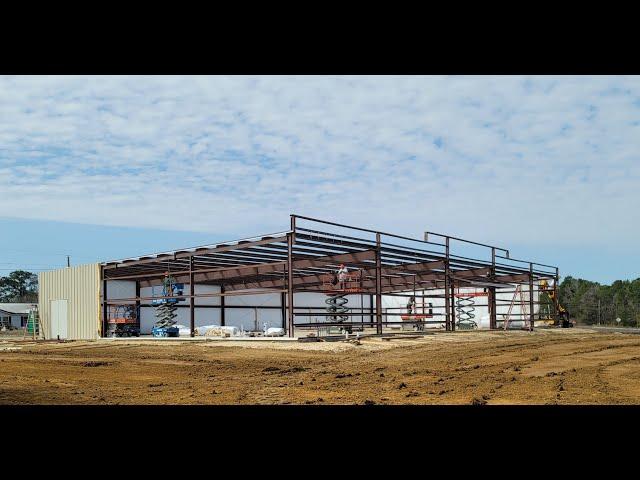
x: 296, y: 260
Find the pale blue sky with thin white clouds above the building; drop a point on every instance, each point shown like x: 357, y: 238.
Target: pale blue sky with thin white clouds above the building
x: 110, y: 167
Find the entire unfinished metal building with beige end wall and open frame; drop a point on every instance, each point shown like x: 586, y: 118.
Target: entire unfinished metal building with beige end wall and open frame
x: 317, y: 279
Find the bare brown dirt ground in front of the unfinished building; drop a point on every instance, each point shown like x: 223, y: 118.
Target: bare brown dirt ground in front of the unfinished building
x: 572, y: 366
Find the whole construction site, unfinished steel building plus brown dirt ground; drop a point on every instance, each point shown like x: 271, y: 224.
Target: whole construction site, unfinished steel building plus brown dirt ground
x: 321, y: 313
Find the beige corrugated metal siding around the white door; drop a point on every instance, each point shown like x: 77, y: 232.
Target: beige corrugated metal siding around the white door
x: 80, y: 286
